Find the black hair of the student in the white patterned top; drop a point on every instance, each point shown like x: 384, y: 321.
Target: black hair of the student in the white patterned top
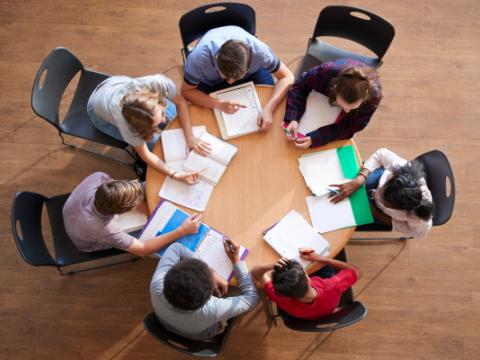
x: 402, y: 191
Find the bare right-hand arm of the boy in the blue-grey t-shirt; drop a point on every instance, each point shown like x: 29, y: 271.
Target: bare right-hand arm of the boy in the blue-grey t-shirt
x: 284, y: 81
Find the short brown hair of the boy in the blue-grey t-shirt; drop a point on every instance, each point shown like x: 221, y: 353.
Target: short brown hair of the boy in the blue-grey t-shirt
x: 233, y: 59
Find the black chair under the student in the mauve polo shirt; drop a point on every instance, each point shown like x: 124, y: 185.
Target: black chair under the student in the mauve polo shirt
x: 26, y: 222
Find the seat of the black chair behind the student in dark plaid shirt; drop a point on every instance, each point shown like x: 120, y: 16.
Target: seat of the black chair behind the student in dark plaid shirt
x: 319, y: 52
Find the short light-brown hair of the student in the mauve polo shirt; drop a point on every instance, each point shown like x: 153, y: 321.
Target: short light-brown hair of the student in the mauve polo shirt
x: 118, y: 196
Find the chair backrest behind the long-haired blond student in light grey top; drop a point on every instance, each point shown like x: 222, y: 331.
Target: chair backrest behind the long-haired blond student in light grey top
x: 51, y: 80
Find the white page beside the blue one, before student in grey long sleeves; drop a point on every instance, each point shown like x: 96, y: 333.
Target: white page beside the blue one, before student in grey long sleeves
x: 212, y: 251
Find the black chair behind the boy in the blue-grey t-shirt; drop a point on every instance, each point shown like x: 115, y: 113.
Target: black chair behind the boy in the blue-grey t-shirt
x: 197, y: 22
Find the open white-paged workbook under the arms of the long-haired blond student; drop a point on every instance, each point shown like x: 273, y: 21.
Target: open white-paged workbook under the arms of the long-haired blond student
x: 210, y: 168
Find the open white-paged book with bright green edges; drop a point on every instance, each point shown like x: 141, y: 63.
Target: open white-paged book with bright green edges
x: 334, y: 166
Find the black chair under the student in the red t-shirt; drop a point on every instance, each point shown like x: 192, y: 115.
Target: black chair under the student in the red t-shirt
x: 348, y: 313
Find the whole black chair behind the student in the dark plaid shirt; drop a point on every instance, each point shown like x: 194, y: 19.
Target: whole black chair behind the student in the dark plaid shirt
x: 358, y: 25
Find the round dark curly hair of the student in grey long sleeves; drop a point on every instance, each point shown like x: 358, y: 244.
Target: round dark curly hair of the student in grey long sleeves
x: 188, y: 284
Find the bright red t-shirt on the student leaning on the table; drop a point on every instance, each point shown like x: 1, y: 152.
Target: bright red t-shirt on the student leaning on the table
x: 329, y: 292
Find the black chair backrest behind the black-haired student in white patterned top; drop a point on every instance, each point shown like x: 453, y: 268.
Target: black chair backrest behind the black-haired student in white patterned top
x: 439, y: 174
